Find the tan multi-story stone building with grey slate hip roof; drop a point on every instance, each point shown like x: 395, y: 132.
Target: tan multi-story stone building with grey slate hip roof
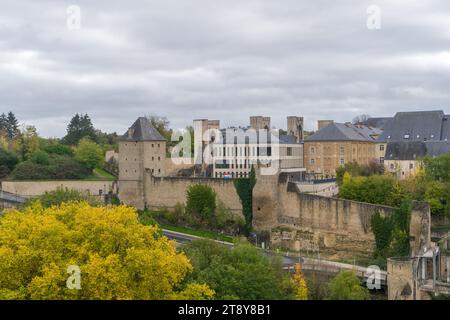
x: 336, y: 144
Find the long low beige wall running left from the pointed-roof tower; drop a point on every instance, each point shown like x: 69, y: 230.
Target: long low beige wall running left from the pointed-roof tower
x: 30, y: 189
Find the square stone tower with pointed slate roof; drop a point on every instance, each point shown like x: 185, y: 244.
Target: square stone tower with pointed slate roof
x: 141, y: 149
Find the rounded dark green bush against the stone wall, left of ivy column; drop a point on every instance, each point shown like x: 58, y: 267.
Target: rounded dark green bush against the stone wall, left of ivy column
x: 201, y: 200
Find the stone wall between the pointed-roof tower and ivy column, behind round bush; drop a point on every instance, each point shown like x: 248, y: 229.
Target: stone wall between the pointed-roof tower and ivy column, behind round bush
x: 166, y: 192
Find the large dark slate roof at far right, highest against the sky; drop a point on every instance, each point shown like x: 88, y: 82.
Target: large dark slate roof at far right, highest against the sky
x: 416, y: 126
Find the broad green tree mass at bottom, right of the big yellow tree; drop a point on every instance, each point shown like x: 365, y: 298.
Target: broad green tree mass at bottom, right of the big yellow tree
x: 243, y: 272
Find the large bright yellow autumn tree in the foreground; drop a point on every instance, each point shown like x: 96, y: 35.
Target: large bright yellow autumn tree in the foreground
x: 76, y: 251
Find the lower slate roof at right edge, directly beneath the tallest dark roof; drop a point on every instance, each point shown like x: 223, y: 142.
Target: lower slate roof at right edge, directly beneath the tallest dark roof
x: 413, y: 150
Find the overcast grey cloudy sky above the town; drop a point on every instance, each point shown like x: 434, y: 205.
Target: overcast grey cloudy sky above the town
x: 226, y: 60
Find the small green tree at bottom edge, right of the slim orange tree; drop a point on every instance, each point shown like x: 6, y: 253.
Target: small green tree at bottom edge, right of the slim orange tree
x: 347, y: 286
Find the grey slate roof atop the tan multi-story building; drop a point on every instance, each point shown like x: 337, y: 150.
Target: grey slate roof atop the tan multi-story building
x: 345, y: 132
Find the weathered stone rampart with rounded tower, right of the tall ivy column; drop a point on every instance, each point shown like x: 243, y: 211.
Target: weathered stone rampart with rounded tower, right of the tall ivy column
x: 300, y: 221
